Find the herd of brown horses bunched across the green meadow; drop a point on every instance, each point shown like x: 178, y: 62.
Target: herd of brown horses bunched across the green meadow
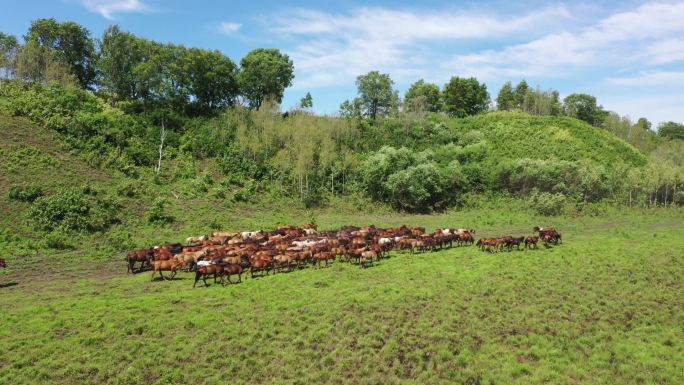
x: 225, y: 254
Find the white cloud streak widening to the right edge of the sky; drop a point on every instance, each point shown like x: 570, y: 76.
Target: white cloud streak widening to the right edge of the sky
x: 645, y: 35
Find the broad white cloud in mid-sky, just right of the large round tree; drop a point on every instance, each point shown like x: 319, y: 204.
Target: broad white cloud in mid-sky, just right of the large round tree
x: 340, y: 47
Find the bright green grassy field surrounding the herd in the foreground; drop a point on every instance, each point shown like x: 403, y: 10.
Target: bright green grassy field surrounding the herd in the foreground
x: 606, y: 307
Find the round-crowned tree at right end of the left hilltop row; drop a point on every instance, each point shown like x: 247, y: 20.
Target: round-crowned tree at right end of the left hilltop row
x: 264, y: 74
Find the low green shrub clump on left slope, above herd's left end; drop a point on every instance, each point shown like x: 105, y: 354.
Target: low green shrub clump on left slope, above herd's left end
x: 73, y: 209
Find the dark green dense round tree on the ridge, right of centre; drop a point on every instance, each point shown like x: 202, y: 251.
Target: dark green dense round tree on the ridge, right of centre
x: 465, y: 97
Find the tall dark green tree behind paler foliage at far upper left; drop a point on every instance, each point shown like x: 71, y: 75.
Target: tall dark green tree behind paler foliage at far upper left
x: 71, y: 43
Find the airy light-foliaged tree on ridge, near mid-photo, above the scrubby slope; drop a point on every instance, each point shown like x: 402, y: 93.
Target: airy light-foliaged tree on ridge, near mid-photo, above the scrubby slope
x: 376, y: 95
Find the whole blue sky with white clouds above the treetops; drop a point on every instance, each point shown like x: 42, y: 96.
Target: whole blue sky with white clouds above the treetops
x: 629, y: 54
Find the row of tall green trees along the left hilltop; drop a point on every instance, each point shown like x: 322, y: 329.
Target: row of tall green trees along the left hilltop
x: 122, y: 67
